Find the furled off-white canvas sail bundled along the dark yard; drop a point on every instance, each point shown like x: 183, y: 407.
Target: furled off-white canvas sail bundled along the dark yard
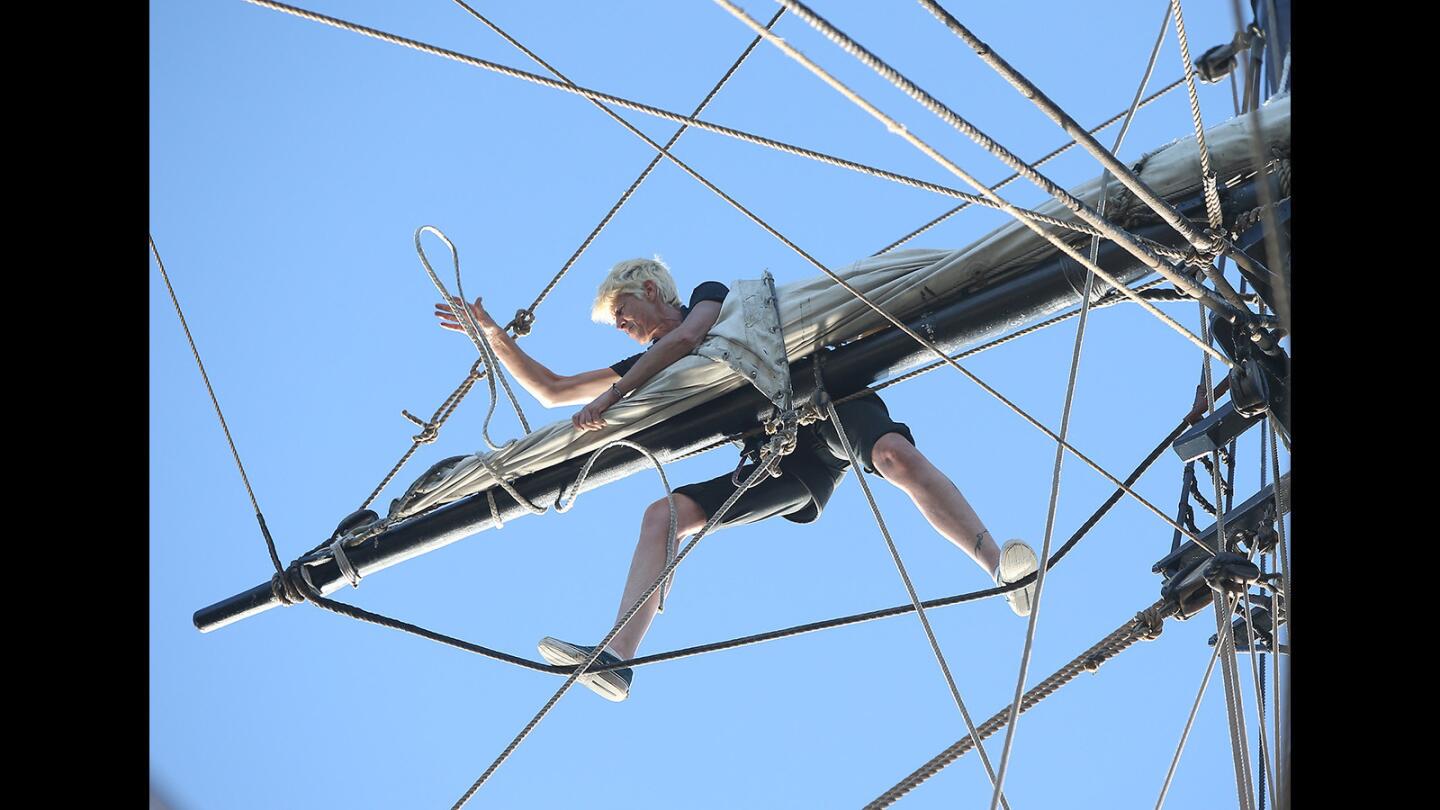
x: 817, y: 312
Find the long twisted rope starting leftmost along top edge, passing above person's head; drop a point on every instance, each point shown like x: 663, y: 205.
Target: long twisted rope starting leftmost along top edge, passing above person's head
x: 640, y: 107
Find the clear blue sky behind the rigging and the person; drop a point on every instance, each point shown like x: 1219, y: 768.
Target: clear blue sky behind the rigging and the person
x: 290, y: 166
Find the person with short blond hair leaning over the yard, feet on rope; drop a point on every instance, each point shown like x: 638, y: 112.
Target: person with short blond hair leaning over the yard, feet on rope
x: 640, y: 299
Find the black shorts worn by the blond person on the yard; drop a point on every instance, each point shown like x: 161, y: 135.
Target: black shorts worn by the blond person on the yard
x: 809, y: 476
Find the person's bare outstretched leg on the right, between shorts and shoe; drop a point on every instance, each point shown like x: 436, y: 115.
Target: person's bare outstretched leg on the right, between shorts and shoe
x: 937, y: 498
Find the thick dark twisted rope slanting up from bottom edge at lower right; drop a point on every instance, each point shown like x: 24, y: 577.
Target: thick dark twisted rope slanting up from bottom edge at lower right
x: 1146, y: 626
